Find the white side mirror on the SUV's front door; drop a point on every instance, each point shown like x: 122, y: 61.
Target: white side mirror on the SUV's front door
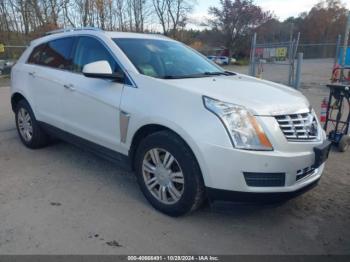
x: 101, y: 69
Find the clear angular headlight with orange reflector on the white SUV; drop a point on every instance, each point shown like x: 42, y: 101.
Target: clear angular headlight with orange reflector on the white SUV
x: 243, y: 128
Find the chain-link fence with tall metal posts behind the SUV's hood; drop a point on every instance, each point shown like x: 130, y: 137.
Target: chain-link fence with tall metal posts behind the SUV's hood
x: 294, y: 64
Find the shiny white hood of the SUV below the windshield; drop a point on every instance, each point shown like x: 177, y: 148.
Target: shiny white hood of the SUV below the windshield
x: 259, y: 96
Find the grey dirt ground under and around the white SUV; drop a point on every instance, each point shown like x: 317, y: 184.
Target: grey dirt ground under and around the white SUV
x: 62, y: 200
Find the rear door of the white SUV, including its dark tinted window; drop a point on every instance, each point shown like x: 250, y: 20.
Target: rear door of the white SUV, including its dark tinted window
x: 49, y: 65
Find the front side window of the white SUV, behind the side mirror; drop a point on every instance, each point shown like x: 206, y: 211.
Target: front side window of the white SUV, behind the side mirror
x: 91, y: 50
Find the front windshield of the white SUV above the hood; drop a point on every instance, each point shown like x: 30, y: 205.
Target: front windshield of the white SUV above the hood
x: 166, y: 59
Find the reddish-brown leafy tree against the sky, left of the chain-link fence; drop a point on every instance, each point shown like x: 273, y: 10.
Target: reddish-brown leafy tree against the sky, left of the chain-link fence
x: 235, y: 19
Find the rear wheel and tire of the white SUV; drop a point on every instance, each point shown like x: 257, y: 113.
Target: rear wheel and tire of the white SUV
x: 29, y: 130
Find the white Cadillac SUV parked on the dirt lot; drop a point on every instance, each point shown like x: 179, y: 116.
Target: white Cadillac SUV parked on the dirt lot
x: 189, y: 129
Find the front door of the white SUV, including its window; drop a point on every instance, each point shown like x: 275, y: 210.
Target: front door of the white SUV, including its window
x: 91, y: 105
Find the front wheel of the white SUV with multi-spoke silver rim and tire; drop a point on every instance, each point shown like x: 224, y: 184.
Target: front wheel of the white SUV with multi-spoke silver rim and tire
x: 189, y: 193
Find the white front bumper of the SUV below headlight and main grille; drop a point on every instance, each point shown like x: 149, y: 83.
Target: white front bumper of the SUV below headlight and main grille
x: 225, y: 167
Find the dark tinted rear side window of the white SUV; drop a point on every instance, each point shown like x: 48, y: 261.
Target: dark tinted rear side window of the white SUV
x: 55, y: 54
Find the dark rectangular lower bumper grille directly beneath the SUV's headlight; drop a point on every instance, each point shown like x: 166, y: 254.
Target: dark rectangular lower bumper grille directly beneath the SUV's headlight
x: 265, y: 179
